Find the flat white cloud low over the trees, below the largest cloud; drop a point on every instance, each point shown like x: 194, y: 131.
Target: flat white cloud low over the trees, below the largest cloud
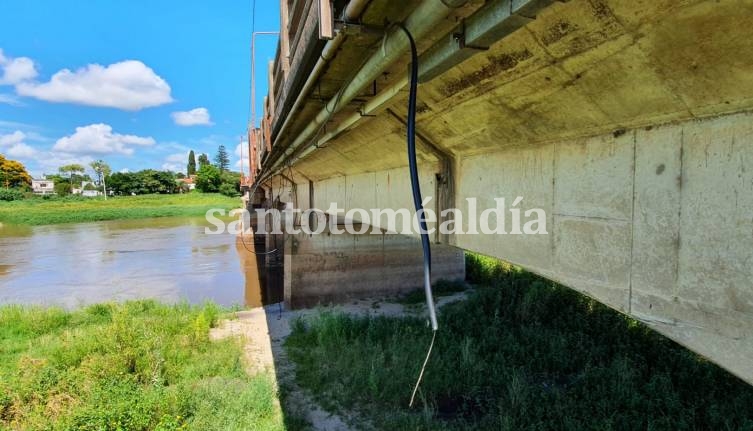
x: 100, y: 139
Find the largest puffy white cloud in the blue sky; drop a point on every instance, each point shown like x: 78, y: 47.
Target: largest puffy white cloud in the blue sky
x: 129, y: 85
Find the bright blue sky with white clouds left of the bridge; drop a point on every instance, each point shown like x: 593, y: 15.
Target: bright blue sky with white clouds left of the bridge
x: 137, y: 84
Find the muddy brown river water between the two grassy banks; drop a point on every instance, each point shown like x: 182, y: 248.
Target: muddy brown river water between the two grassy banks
x: 168, y: 259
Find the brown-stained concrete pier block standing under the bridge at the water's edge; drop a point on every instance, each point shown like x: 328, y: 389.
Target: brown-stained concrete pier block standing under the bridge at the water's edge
x: 329, y: 268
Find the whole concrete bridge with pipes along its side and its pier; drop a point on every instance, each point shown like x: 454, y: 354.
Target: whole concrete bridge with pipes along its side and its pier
x: 627, y: 122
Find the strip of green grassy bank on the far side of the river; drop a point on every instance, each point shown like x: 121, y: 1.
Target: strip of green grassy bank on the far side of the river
x: 78, y: 209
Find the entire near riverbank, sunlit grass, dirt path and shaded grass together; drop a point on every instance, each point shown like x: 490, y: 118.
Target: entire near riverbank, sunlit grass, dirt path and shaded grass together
x: 514, y: 352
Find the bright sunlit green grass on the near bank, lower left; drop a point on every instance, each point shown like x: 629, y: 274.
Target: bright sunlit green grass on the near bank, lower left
x: 136, y: 366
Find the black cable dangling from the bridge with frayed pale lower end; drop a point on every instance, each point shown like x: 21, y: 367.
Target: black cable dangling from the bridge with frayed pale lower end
x: 418, y: 202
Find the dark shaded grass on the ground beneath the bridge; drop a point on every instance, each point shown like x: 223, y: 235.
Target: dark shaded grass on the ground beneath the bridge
x: 521, y: 353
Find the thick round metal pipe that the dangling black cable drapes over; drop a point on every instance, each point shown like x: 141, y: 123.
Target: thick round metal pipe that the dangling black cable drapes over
x: 424, y: 18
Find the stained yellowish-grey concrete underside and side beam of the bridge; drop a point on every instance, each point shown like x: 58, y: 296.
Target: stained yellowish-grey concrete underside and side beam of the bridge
x: 626, y: 122
